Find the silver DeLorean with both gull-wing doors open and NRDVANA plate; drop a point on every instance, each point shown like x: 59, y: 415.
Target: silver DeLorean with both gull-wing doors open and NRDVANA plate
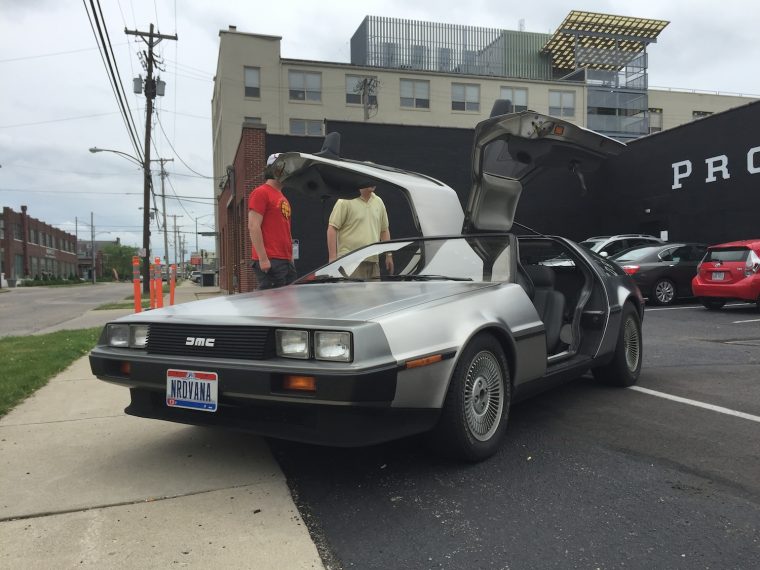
x: 471, y: 319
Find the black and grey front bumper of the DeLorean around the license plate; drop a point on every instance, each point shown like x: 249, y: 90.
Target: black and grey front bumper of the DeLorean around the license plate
x: 347, y: 409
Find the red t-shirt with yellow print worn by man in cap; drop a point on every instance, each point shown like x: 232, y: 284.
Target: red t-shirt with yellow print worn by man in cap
x: 275, y: 224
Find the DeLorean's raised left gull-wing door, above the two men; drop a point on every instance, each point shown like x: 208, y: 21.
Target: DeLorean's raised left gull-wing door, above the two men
x: 435, y: 206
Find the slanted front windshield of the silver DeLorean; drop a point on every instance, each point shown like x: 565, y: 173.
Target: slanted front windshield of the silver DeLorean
x: 467, y: 258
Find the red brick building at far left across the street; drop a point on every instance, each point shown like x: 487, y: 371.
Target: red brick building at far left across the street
x: 31, y: 248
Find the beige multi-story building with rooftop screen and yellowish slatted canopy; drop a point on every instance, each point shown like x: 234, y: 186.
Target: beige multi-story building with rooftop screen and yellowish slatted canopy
x: 592, y: 71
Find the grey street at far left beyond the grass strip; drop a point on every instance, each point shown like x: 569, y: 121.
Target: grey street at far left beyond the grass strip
x: 27, y: 310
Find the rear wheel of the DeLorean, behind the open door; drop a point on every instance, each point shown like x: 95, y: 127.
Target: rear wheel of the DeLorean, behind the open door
x: 624, y: 368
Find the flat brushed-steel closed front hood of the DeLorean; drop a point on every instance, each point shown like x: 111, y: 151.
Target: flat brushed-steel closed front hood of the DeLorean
x: 316, y: 302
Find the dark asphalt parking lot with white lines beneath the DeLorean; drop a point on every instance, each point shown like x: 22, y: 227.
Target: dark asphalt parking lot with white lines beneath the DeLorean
x: 664, y: 475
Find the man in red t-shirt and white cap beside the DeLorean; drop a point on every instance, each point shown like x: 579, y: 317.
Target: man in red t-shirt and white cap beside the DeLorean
x: 269, y: 225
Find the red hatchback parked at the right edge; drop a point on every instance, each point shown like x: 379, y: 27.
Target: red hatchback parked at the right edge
x: 729, y: 271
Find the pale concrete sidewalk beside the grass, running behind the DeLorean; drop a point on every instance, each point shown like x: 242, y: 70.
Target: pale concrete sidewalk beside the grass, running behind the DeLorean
x: 84, y: 485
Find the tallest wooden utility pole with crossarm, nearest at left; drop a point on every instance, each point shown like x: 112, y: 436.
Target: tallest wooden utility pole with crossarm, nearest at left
x: 151, y: 39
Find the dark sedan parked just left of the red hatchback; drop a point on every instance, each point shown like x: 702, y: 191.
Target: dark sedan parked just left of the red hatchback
x: 662, y: 272
